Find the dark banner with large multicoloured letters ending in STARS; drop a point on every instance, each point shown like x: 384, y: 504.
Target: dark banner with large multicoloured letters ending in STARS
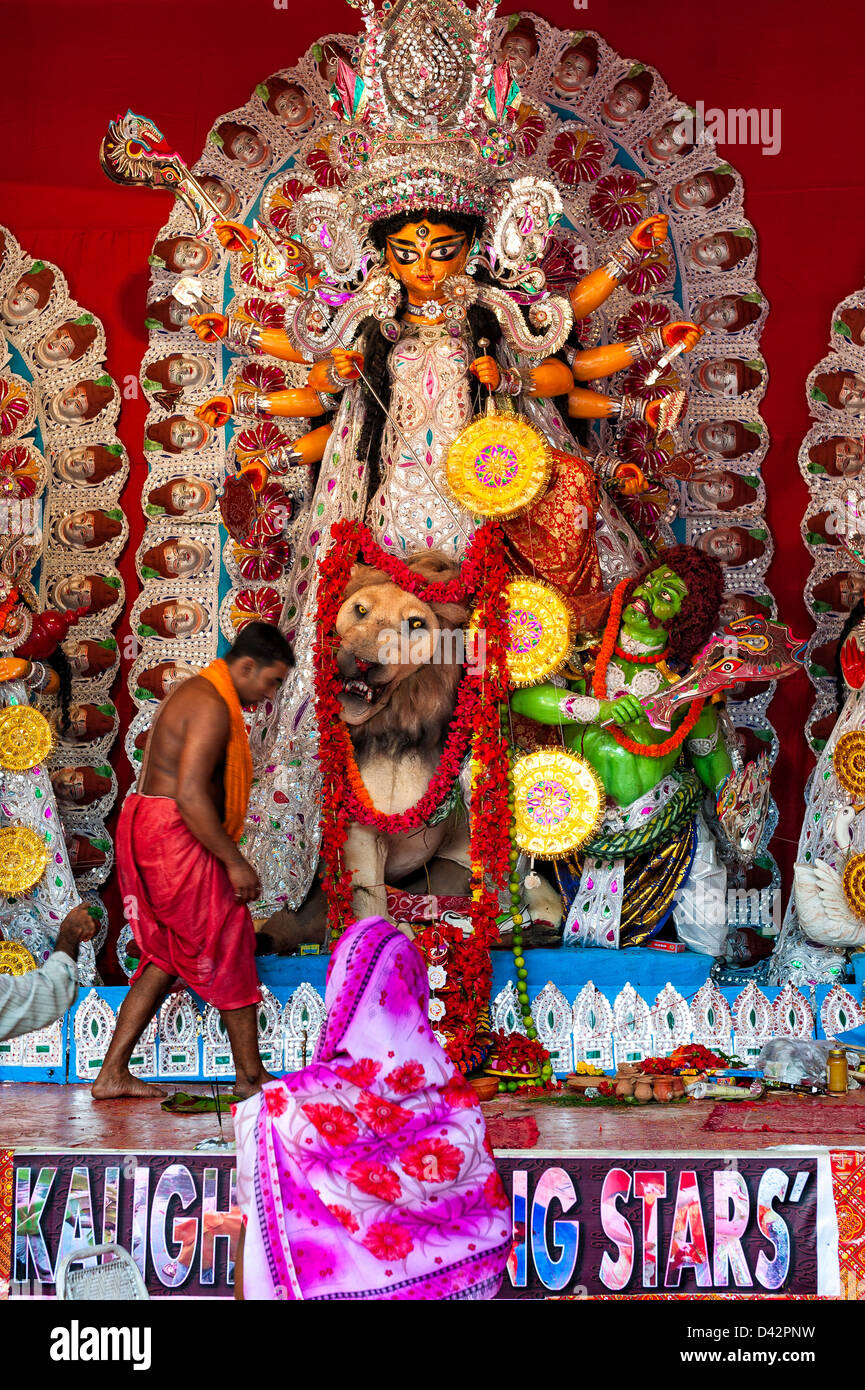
x: 585, y: 1227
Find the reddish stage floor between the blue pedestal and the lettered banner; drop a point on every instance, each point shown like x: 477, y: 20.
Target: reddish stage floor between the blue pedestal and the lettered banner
x: 47, y: 1118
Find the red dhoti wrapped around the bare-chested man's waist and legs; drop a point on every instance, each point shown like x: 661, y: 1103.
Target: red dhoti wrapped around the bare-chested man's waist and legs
x: 181, y: 906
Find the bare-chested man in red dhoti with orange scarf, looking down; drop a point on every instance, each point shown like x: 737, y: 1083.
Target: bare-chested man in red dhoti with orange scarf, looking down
x: 184, y: 881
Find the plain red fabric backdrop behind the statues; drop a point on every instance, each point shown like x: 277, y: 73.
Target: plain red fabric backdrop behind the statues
x: 184, y: 62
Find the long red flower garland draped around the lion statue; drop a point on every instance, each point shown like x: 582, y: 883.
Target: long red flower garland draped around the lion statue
x: 485, y: 576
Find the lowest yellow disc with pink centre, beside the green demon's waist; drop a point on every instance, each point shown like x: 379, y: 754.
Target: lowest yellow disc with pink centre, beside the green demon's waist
x: 560, y: 803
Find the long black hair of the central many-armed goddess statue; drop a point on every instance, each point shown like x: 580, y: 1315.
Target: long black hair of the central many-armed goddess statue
x: 378, y: 348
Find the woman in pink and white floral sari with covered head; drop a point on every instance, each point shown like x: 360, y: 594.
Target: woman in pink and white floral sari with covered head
x: 369, y: 1174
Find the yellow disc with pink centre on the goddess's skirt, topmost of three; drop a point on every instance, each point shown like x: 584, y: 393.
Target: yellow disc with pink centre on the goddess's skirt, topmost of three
x: 499, y: 466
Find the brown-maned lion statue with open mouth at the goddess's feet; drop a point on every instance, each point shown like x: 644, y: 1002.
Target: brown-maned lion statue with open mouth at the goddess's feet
x: 401, y: 668
